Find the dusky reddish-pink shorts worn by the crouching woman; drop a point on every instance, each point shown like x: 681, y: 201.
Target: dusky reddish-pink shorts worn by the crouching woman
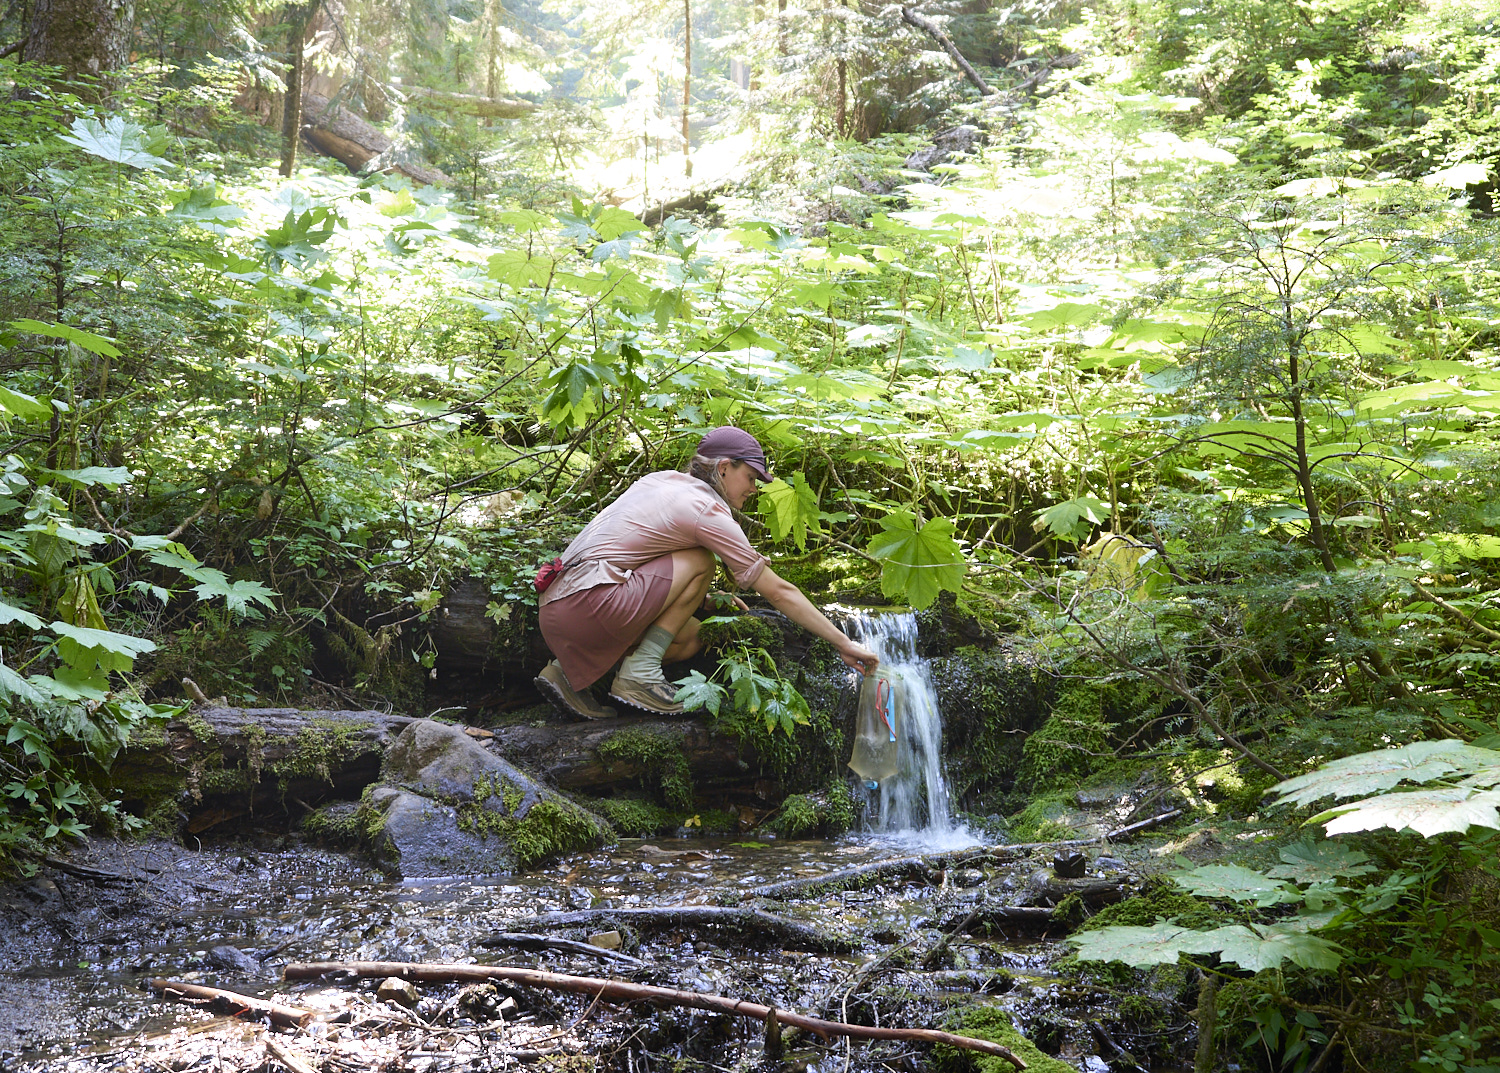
x: 593, y: 628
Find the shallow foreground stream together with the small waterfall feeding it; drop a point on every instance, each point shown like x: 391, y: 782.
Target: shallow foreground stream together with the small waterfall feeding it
x: 80, y: 940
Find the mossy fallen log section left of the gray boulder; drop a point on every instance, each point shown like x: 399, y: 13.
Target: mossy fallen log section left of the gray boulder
x: 215, y: 765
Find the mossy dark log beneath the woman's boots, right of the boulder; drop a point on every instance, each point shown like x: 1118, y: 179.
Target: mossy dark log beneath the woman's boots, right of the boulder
x: 577, y: 757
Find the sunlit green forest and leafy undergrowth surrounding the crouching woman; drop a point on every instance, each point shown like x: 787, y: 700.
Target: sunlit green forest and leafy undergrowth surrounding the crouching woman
x: 1175, y: 358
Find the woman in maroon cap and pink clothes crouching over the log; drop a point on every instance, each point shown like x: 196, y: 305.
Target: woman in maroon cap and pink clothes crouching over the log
x: 635, y: 579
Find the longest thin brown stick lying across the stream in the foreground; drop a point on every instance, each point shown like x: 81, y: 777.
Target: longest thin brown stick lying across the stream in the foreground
x: 640, y: 993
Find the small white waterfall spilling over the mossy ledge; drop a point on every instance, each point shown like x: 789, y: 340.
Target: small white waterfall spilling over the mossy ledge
x: 913, y: 805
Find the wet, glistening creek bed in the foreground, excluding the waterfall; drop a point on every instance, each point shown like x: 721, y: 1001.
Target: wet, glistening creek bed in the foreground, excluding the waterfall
x: 79, y: 948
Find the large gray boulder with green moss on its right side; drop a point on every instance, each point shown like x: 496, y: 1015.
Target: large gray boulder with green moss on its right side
x: 449, y: 807
